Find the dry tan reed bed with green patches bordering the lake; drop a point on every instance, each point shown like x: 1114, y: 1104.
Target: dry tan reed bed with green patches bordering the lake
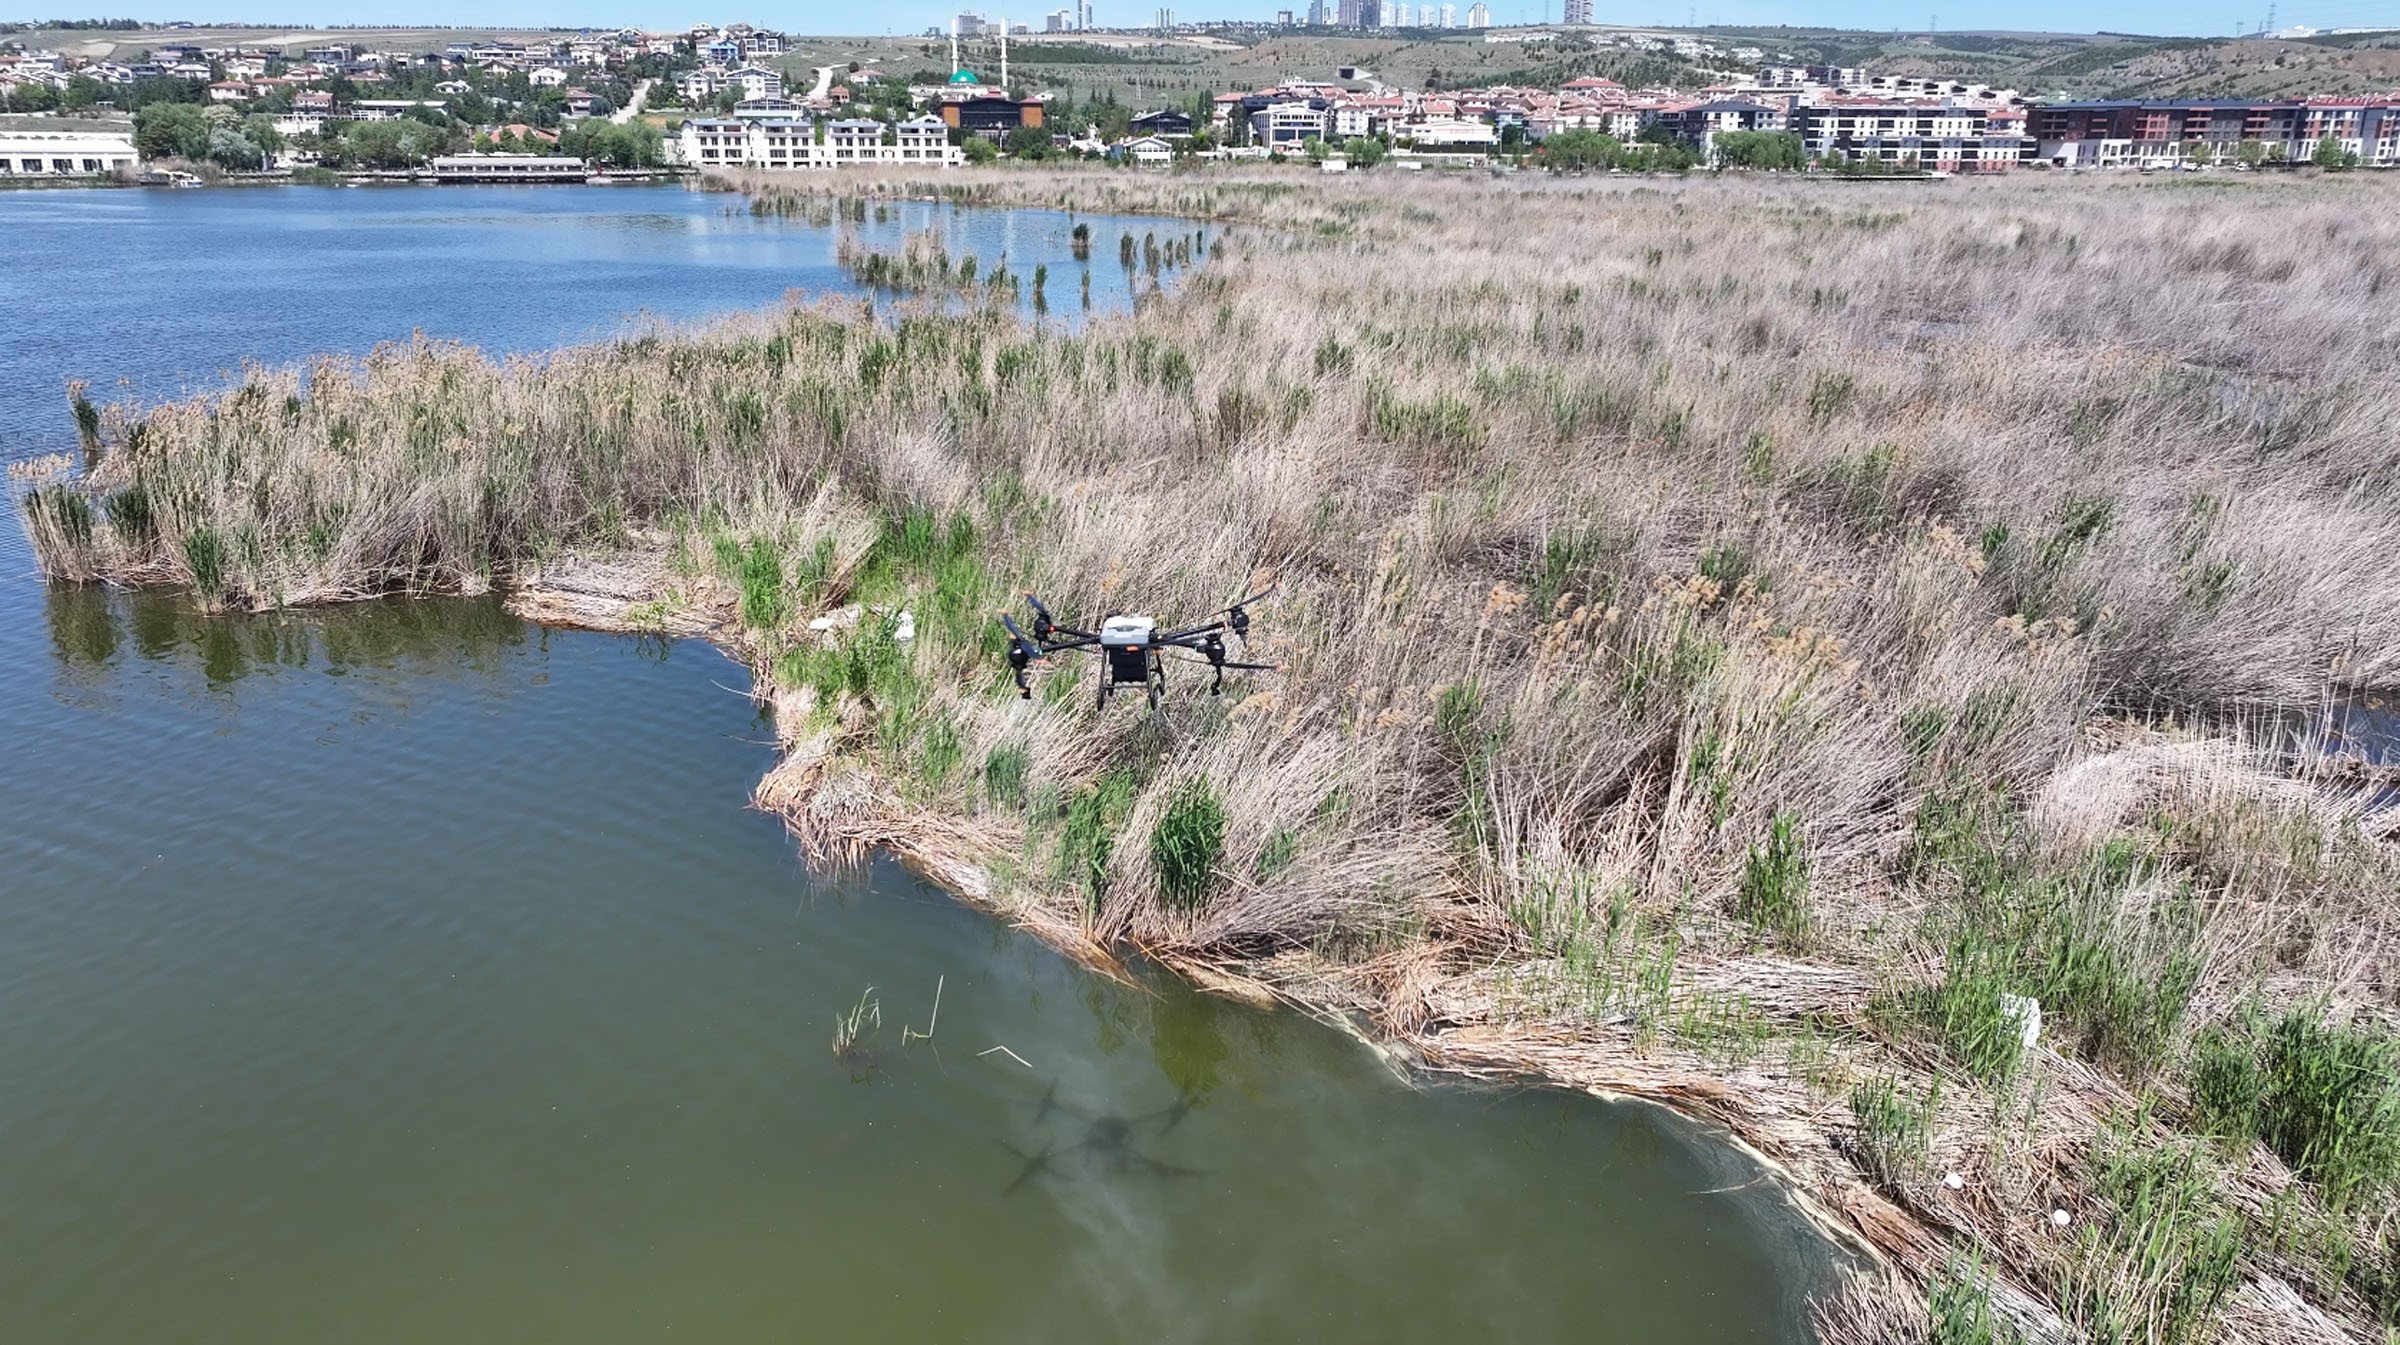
x: 1744, y: 642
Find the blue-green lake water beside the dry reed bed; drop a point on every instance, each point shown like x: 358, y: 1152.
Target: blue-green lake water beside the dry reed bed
x: 412, y: 974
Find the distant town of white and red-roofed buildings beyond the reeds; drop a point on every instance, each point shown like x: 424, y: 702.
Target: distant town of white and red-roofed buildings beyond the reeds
x: 527, y: 95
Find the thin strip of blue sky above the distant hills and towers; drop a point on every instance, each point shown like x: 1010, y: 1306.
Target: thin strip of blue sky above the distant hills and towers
x: 822, y: 18
